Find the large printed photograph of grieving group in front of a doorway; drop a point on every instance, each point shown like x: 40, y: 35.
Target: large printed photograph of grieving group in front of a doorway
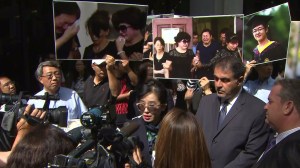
x: 185, y: 48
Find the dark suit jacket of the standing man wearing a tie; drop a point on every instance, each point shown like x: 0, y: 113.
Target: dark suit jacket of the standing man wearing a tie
x: 242, y: 136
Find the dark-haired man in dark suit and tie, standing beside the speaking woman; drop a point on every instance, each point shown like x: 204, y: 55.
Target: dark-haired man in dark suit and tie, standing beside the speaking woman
x: 233, y: 121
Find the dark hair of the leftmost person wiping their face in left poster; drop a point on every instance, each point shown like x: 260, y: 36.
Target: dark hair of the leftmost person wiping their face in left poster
x: 70, y: 8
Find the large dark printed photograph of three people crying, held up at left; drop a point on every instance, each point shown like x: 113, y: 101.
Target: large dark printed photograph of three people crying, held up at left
x: 91, y: 30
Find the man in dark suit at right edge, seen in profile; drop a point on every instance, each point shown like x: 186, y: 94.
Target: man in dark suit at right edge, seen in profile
x: 283, y: 115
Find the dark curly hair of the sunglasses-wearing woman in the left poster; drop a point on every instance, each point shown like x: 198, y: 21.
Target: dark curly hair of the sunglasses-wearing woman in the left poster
x: 132, y: 16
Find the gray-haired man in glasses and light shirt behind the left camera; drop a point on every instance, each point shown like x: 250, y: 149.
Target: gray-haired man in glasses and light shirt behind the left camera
x: 49, y: 74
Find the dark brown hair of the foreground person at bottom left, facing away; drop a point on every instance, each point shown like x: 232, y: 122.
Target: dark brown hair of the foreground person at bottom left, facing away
x: 39, y: 147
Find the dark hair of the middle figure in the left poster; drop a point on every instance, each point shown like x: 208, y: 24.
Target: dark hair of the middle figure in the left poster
x: 98, y: 21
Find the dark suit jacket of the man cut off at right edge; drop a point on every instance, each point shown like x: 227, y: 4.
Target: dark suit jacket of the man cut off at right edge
x: 284, y: 154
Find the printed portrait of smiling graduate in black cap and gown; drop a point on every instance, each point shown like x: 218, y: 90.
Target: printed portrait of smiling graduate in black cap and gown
x: 267, y: 34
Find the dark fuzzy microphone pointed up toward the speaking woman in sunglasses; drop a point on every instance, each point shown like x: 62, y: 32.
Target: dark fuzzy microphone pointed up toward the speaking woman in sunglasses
x: 126, y: 131
